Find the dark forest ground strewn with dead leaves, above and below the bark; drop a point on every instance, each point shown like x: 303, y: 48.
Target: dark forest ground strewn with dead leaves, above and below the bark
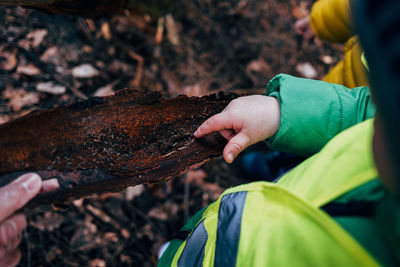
x: 195, y: 48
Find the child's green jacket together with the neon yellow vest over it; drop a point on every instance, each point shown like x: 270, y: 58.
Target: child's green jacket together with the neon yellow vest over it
x: 288, y: 223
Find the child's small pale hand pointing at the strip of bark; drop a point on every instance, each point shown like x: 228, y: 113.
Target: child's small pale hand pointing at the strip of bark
x: 245, y: 121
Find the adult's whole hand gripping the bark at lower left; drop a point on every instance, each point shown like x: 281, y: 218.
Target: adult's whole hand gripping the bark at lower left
x: 12, y: 198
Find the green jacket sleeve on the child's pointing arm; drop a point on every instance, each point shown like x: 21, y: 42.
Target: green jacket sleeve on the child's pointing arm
x: 312, y: 112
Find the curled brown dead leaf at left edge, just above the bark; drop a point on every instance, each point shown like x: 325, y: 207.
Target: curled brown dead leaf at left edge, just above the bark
x: 19, y: 98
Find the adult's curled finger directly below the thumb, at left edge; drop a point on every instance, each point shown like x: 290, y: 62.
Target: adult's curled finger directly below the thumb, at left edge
x: 11, y: 228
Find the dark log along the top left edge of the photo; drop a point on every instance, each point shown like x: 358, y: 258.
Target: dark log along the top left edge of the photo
x: 95, y: 8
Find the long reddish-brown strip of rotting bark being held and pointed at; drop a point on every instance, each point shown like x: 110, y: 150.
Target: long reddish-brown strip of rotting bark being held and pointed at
x: 106, y: 144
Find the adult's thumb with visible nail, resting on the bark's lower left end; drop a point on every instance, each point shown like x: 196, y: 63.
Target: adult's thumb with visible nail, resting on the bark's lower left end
x: 15, y: 195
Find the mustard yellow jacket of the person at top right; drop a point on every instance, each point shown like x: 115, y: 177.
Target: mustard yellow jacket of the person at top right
x: 331, y: 20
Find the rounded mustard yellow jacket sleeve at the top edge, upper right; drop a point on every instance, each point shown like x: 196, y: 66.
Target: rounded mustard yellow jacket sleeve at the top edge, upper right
x: 331, y: 20
